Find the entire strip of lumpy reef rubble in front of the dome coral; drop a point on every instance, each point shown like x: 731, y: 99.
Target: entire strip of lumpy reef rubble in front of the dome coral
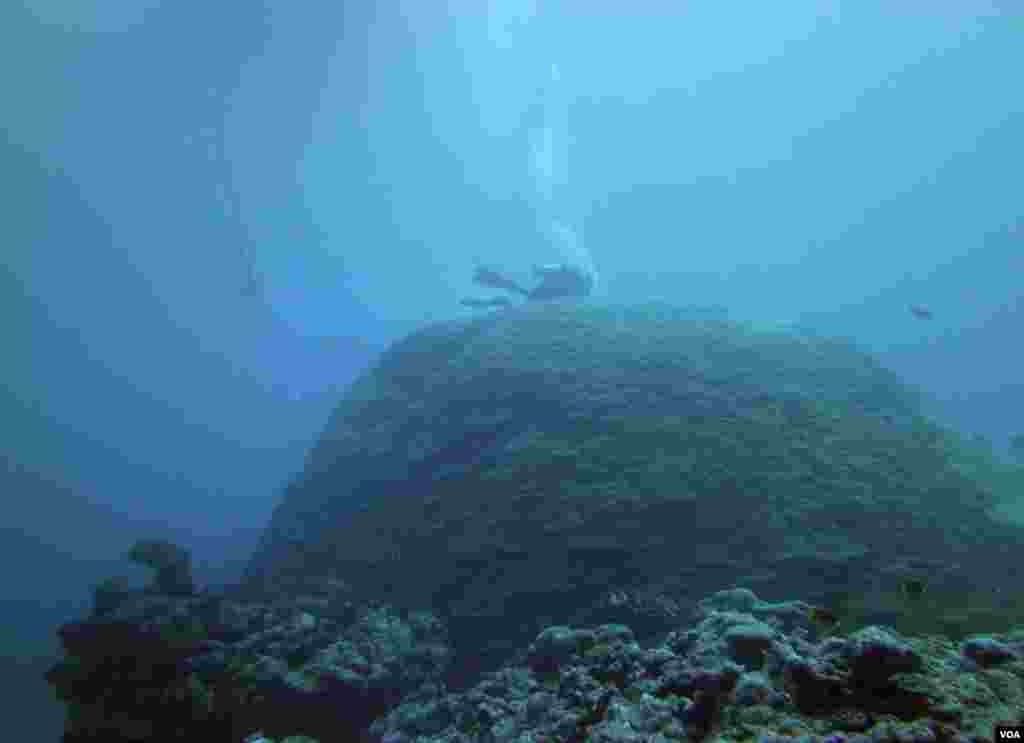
x: 151, y: 667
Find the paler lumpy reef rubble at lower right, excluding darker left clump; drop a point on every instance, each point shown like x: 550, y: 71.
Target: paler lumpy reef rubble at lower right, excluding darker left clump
x: 747, y: 671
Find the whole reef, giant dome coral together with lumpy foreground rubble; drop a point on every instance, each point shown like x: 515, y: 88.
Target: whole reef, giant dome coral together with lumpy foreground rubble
x: 517, y: 529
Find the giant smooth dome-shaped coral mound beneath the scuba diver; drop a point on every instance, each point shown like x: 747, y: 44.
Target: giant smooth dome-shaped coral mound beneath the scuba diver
x: 525, y: 466
